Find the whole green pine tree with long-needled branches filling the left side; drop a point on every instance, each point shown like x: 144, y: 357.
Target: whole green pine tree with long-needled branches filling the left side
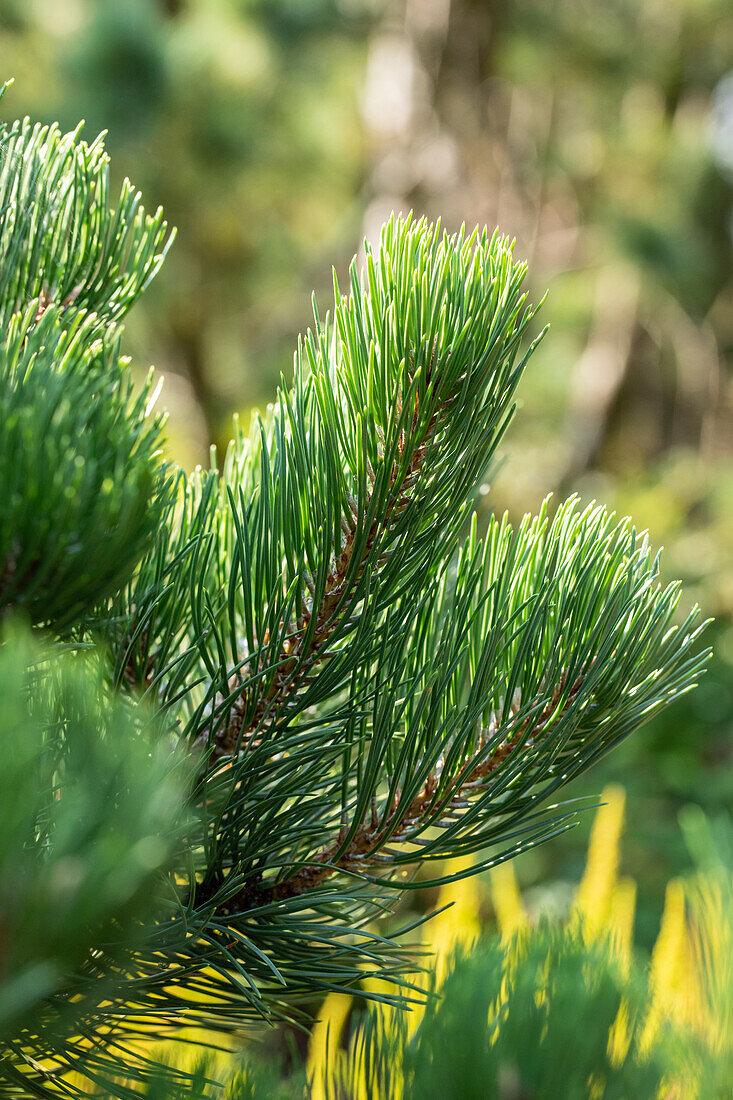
x: 268, y: 692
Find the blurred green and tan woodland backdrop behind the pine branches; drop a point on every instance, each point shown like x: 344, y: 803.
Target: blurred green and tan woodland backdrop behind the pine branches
x: 598, y: 133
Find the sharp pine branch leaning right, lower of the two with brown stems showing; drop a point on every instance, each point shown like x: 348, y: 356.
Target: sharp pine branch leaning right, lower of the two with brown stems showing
x: 469, y: 769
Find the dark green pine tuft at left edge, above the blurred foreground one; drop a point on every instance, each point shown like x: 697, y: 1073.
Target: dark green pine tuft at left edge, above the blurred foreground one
x: 80, y: 463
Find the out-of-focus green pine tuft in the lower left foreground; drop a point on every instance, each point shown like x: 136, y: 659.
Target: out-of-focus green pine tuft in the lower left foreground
x: 92, y: 805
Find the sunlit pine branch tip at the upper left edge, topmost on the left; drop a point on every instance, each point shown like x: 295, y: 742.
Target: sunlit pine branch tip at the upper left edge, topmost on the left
x: 62, y: 243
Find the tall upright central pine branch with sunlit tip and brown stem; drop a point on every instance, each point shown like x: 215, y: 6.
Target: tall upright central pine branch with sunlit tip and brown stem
x: 355, y: 487
